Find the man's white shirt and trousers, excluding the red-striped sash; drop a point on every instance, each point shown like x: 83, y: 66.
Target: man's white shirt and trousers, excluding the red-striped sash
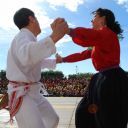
x: 35, y: 111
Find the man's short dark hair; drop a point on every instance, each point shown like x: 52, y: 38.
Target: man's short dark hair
x: 21, y: 17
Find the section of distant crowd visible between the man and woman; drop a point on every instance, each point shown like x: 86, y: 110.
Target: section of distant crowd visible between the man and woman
x: 66, y: 86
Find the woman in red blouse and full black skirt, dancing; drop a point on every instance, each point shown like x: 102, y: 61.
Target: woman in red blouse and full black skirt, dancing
x: 105, y: 104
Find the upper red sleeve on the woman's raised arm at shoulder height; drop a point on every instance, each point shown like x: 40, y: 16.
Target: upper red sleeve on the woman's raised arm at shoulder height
x: 87, y: 37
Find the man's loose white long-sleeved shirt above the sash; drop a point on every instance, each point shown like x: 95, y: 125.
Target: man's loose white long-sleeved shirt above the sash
x: 32, y: 56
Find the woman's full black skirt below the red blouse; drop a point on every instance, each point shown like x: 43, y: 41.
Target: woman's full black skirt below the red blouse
x: 108, y: 91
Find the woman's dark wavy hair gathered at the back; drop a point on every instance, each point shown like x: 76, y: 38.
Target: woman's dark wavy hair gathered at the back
x: 110, y: 20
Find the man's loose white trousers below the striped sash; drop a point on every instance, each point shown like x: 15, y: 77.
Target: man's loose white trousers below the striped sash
x: 36, y: 111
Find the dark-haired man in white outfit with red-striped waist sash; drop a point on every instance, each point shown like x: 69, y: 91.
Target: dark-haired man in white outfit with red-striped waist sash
x: 26, y: 57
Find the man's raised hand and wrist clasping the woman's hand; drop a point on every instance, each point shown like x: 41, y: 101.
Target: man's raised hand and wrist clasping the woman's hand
x: 60, y: 28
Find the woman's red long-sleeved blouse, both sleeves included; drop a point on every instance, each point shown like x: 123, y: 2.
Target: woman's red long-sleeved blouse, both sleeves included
x: 105, y: 51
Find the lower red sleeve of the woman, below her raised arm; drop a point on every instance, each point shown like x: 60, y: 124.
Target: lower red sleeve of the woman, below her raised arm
x: 78, y: 56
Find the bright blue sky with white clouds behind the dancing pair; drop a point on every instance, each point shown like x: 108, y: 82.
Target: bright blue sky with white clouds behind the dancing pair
x: 77, y: 13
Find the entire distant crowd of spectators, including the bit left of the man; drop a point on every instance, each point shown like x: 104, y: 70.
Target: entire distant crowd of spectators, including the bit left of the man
x: 58, y: 86
